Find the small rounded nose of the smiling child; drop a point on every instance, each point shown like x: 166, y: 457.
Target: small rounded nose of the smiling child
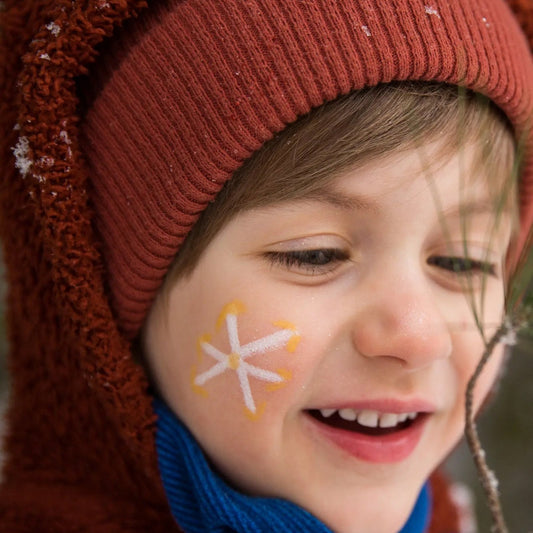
x: 402, y: 320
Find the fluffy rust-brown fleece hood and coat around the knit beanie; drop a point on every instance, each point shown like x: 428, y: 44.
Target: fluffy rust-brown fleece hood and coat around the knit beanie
x: 80, y: 442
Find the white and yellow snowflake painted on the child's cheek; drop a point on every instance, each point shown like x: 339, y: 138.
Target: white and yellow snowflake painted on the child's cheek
x: 236, y: 359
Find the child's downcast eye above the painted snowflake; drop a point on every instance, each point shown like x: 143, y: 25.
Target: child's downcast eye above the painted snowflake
x: 315, y: 261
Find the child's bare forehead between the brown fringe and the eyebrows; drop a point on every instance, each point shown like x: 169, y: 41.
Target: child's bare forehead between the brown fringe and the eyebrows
x: 454, y: 179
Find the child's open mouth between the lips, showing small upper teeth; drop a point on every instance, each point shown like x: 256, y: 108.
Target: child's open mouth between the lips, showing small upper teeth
x: 371, y: 423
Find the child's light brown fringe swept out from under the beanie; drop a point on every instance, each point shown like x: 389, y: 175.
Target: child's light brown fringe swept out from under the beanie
x: 347, y: 133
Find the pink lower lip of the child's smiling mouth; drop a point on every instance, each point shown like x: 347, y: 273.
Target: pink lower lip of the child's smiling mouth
x: 391, y: 448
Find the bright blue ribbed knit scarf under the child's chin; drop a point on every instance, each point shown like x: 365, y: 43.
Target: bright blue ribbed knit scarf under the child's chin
x: 201, y: 502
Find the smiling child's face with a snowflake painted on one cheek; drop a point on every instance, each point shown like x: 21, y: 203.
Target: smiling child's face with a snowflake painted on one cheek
x: 303, y: 316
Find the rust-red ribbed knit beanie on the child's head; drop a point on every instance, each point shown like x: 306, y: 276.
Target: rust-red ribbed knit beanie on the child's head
x: 193, y: 88
